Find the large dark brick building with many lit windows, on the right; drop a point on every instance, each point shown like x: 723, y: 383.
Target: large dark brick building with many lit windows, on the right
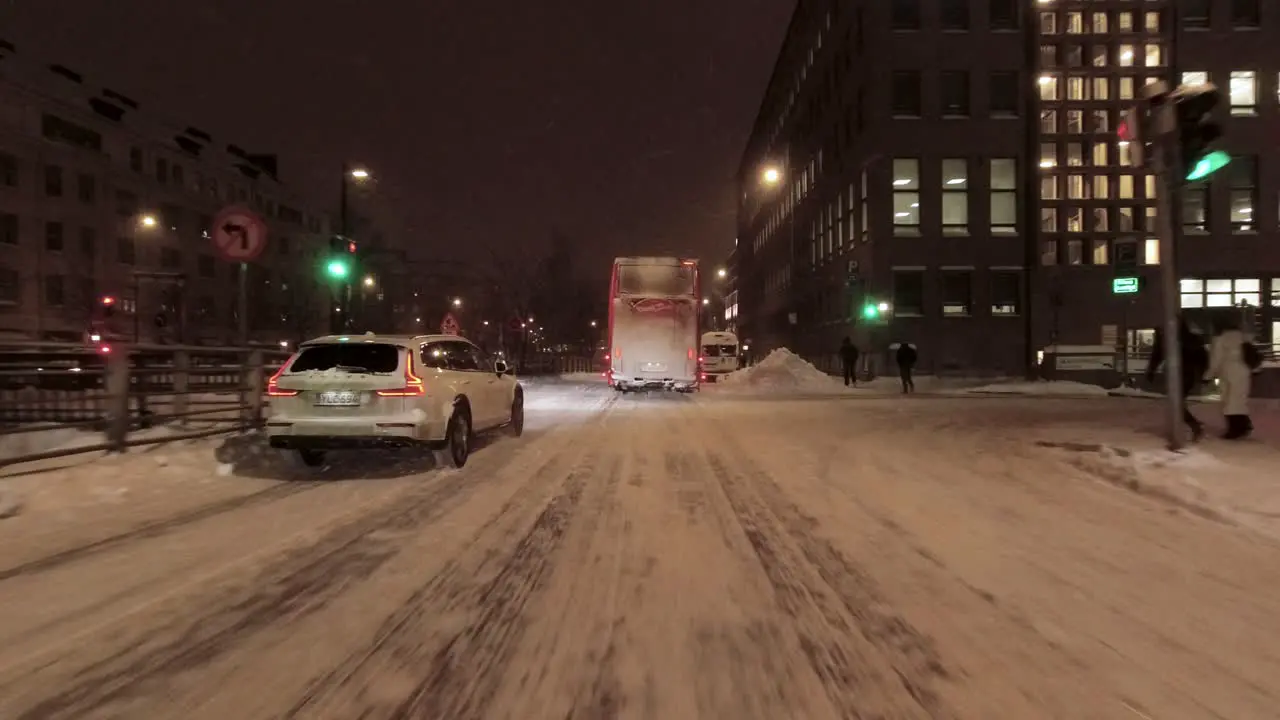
x: 958, y: 163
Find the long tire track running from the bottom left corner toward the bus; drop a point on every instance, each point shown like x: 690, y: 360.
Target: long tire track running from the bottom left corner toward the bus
x: 299, y: 586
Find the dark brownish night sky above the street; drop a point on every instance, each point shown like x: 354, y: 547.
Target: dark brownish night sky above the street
x: 620, y: 124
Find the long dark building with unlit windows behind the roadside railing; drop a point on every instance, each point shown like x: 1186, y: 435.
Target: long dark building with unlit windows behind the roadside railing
x: 100, y: 199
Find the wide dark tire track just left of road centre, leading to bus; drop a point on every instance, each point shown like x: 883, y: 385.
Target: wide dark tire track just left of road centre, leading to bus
x: 409, y: 671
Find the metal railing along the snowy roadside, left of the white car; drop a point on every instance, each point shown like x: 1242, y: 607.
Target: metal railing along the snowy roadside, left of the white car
x: 117, y: 391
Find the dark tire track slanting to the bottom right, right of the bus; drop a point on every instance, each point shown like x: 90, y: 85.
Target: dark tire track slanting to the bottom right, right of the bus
x: 871, y: 663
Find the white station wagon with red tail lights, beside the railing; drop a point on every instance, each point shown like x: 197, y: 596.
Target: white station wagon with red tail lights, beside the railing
x: 372, y: 391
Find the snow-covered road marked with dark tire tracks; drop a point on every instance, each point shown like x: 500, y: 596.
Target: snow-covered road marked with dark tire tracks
x: 652, y: 558
